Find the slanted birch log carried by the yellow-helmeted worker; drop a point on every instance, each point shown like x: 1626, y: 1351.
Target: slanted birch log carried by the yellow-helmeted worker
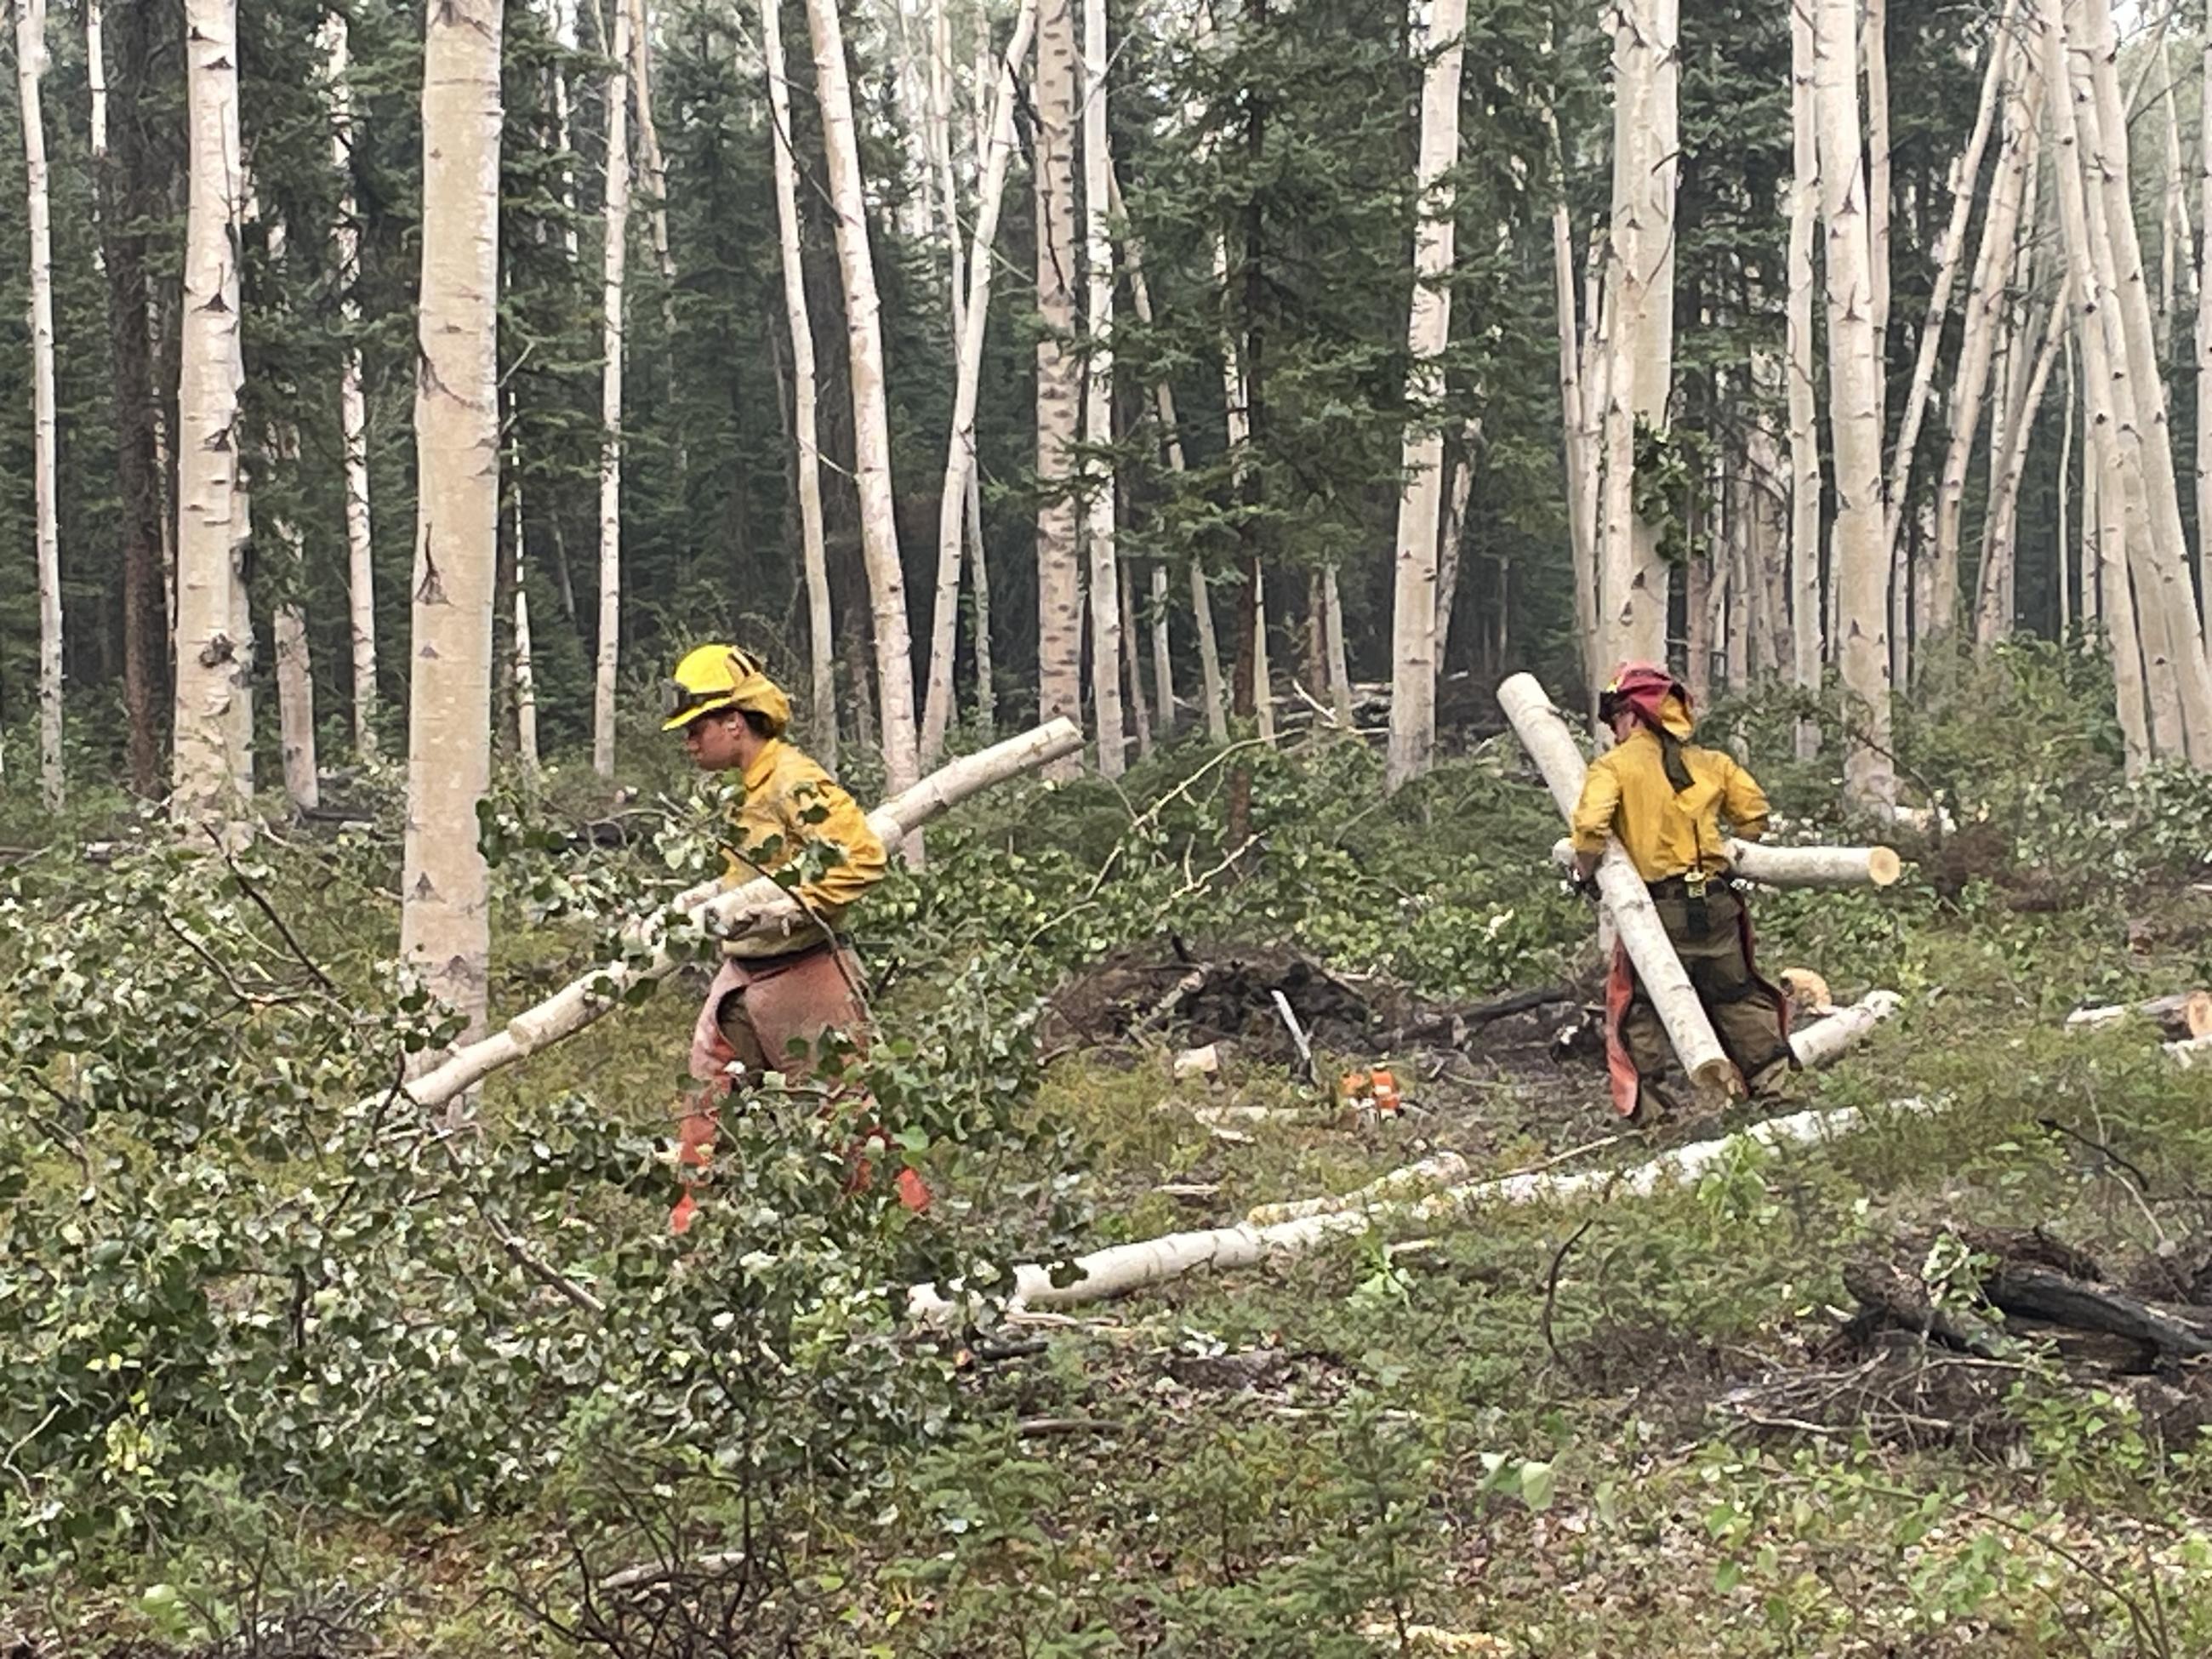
x: 729, y: 912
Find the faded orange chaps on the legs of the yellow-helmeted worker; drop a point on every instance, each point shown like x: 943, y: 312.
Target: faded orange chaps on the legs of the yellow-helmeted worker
x: 753, y: 1016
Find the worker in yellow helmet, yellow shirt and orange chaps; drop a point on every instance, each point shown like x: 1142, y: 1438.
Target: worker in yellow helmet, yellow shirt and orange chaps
x: 775, y: 999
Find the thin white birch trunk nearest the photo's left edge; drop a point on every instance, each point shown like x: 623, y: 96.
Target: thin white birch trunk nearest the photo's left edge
x: 30, y: 70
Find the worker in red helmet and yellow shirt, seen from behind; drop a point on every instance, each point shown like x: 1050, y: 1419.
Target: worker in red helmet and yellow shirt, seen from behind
x: 1665, y: 800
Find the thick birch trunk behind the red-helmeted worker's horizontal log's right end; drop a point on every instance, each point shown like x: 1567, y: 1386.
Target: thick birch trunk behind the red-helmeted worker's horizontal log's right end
x: 1859, y: 554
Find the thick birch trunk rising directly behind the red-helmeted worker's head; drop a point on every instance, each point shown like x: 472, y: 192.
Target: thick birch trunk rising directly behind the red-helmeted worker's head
x: 1640, y: 298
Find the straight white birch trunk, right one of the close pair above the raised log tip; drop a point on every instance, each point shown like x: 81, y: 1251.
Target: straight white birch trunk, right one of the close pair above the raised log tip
x: 1098, y: 406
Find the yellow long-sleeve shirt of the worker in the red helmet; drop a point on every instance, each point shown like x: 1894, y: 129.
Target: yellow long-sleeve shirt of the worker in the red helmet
x: 1627, y: 793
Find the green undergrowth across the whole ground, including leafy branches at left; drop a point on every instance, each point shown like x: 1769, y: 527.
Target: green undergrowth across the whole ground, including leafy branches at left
x: 278, y: 1357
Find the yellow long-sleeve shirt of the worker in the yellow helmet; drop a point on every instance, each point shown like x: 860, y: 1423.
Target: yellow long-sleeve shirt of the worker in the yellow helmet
x: 793, y: 808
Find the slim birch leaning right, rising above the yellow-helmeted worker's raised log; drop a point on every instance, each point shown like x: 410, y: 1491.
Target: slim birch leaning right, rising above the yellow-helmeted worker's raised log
x: 968, y: 377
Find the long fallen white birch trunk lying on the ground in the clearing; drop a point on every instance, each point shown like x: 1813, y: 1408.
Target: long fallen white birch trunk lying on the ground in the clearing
x: 1156, y: 1262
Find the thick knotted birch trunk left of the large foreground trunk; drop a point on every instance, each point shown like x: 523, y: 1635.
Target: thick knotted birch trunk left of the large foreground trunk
x: 205, y: 786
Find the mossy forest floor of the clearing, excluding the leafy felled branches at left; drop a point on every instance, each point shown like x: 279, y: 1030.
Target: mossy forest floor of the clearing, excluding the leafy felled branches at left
x: 1642, y: 1426
